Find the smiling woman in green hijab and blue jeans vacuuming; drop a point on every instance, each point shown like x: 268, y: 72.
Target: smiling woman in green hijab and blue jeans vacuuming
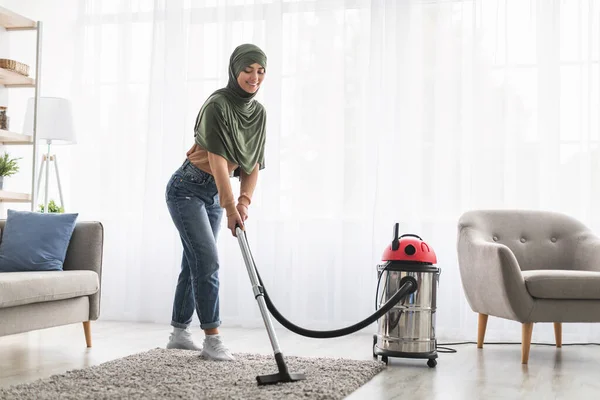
x: 229, y: 137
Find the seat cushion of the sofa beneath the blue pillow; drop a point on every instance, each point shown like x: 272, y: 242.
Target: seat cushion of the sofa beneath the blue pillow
x: 18, y: 288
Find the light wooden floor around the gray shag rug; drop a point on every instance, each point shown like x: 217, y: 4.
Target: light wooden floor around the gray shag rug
x: 494, y: 372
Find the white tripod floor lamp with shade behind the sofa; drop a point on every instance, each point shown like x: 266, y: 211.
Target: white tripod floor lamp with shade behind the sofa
x: 55, y: 126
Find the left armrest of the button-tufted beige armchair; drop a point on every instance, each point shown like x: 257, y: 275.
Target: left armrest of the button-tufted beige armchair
x: 491, y: 278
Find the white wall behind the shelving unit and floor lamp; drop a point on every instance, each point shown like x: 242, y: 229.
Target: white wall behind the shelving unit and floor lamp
x: 58, y: 45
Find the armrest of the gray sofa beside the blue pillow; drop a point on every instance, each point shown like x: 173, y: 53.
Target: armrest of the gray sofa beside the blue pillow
x: 85, y: 253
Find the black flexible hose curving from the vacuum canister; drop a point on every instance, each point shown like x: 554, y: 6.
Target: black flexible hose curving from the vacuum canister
x: 408, y: 285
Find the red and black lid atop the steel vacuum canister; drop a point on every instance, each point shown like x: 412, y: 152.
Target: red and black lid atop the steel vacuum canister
x: 409, y: 247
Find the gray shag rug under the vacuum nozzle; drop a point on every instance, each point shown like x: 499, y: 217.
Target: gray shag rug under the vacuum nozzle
x: 183, y: 374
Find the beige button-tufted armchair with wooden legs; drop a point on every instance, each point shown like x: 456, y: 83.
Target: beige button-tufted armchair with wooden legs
x: 529, y: 266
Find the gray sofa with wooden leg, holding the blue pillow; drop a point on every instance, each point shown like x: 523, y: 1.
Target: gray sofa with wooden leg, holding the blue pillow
x: 37, y: 300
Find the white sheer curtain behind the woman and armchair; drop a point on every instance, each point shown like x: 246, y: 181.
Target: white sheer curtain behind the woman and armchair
x: 378, y: 112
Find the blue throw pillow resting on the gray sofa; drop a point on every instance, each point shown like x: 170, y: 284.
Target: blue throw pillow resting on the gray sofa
x: 34, y: 241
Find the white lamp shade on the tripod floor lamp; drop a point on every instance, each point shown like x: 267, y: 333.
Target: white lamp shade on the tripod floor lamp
x: 54, y: 120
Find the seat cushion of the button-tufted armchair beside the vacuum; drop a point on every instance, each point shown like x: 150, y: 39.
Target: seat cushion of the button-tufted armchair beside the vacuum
x: 563, y: 284
